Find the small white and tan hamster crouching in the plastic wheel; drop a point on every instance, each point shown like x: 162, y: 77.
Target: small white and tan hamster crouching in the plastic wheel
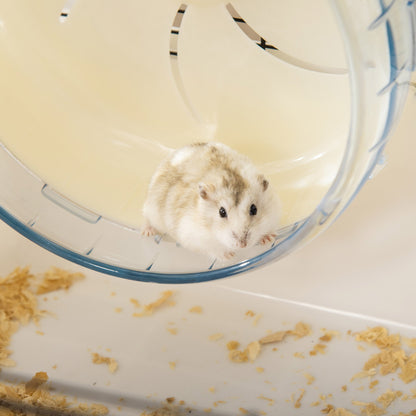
x: 211, y: 200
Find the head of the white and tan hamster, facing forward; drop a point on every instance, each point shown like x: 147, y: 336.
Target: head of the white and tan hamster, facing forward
x: 239, y: 214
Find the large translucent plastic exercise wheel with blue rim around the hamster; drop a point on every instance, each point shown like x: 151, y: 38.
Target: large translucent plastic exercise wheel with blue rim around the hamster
x: 87, y: 111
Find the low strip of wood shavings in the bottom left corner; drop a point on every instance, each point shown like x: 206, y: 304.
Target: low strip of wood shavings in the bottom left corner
x: 34, y: 396
